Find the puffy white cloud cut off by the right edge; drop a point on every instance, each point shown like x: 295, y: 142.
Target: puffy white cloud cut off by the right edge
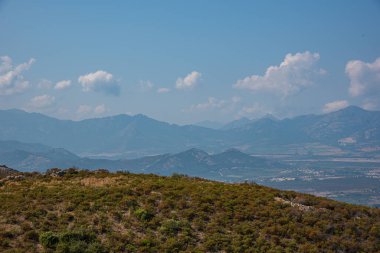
x: 364, y: 77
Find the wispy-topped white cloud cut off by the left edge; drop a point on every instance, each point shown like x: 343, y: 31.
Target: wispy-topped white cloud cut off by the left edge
x: 11, y: 78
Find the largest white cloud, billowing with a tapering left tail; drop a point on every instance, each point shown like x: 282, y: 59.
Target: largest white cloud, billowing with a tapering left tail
x: 294, y: 72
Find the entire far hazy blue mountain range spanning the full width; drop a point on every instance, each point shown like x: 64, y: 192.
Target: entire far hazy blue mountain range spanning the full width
x: 351, y: 129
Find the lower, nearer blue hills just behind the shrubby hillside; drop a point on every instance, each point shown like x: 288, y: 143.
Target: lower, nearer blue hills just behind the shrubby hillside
x: 192, y: 162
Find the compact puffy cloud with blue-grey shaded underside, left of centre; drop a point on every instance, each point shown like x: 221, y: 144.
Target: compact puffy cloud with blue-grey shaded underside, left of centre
x: 100, y: 81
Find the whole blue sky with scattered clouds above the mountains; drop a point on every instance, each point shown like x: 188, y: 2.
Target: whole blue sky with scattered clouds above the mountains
x: 189, y: 61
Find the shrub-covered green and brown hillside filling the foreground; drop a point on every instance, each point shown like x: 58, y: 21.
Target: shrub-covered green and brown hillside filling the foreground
x: 82, y: 211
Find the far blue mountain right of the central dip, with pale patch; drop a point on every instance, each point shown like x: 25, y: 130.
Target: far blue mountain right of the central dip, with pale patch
x: 351, y: 127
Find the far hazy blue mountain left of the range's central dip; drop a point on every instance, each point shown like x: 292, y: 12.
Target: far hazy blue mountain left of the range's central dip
x: 136, y: 135
